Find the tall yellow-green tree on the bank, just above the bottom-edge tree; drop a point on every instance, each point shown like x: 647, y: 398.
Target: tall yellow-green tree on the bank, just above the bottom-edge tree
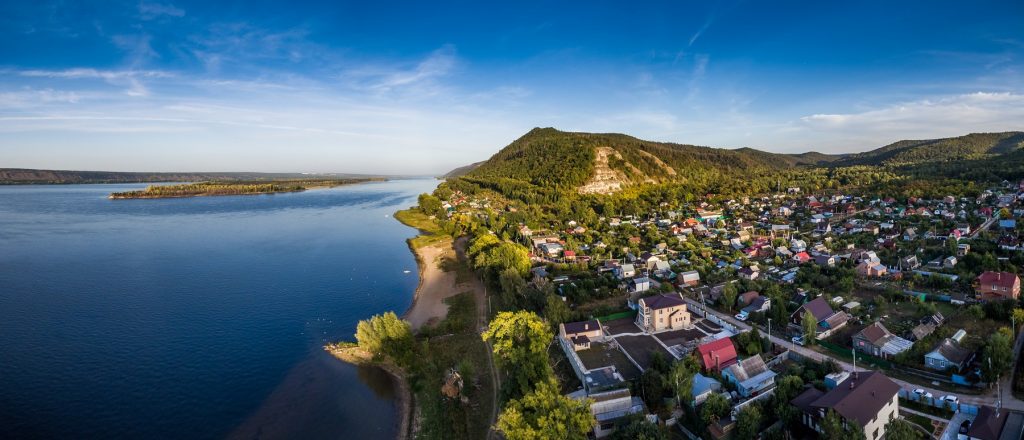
x: 521, y: 343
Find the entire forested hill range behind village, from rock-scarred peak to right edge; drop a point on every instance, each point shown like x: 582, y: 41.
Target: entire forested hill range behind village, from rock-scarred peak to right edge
x: 606, y: 163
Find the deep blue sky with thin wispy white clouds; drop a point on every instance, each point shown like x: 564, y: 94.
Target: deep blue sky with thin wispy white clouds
x: 422, y: 87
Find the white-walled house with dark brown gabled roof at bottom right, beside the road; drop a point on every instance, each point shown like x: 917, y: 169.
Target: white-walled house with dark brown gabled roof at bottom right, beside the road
x: 868, y: 399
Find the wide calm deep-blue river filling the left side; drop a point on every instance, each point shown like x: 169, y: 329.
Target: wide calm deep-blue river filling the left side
x: 197, y: 319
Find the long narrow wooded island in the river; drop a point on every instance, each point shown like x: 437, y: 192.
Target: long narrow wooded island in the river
x: 234, y: 189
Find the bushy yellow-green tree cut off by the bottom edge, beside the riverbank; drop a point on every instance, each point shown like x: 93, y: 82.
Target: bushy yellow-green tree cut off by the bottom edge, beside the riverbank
x: 546, y: 414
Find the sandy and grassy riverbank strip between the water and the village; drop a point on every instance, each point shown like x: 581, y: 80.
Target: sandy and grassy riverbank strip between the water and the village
x: 446, y: 310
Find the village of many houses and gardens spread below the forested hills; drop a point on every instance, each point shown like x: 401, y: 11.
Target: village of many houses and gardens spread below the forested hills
x: 797, y: 304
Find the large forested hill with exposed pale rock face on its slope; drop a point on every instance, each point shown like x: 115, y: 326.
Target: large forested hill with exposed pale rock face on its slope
x: 606, y: 163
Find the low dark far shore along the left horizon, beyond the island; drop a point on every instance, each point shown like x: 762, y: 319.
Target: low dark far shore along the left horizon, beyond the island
x: 27, y: 177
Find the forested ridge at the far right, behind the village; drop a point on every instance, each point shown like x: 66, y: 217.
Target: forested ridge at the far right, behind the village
x: 969, y: 148
